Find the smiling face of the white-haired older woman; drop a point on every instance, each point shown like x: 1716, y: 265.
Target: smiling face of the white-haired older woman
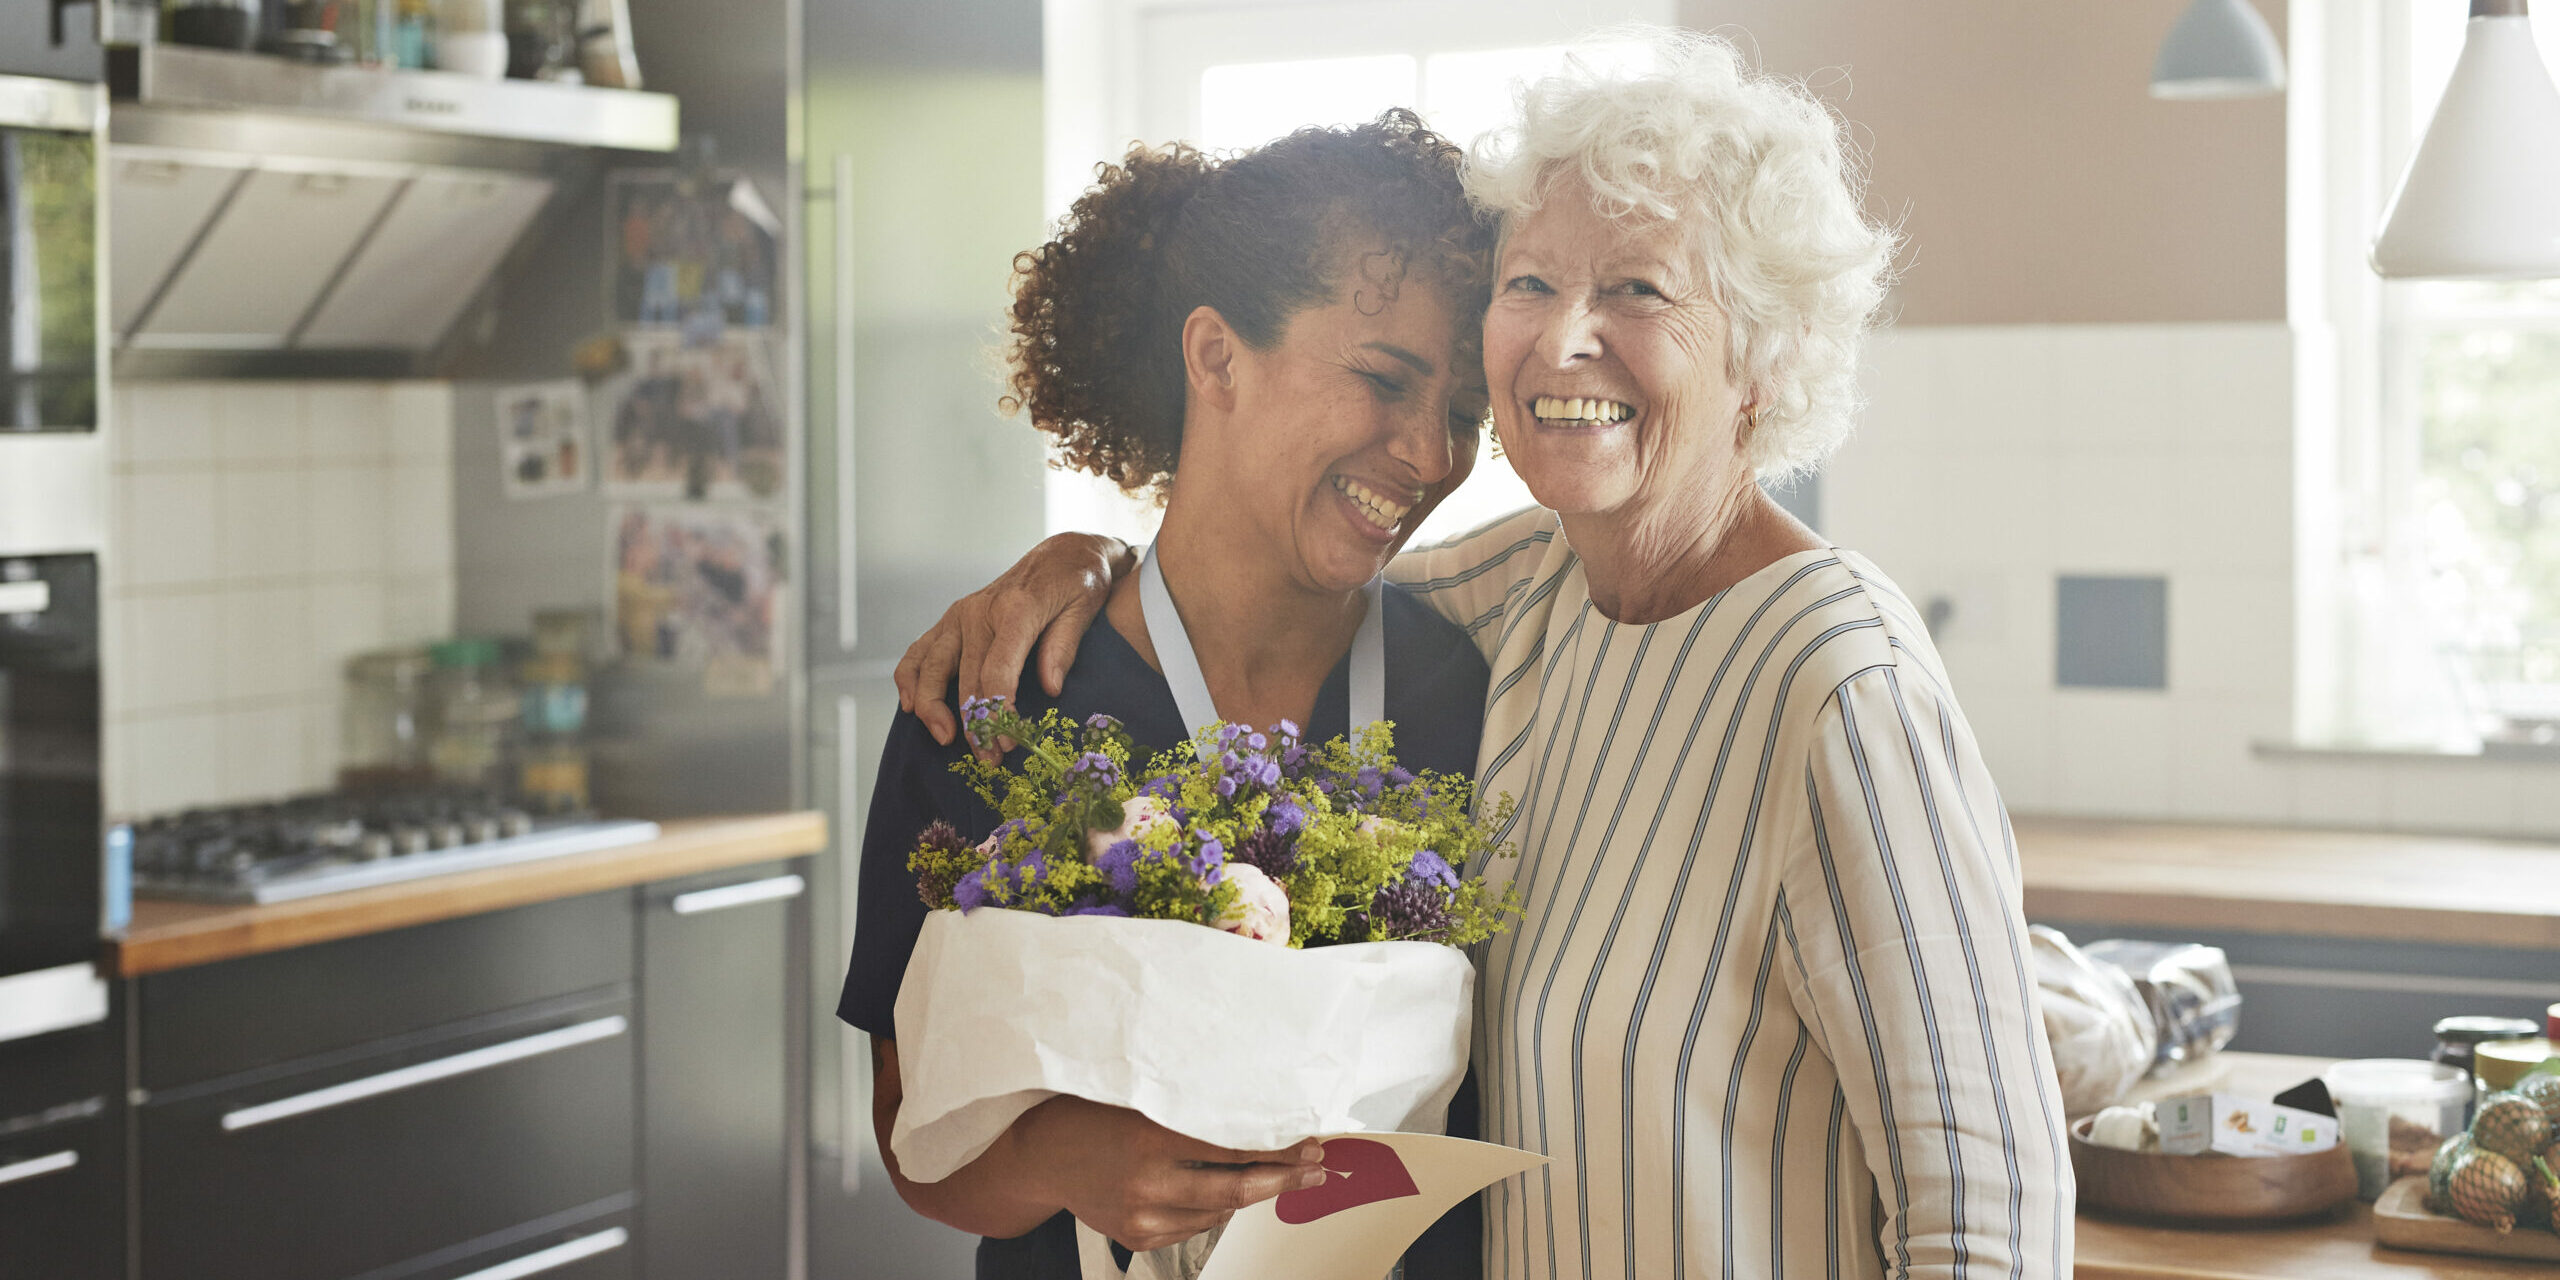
x: 1606, y: 357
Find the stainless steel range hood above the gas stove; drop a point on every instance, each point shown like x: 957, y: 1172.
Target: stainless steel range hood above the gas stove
x: 270, y: 216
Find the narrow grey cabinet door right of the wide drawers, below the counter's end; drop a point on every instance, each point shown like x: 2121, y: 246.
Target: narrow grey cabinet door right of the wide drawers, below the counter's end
x: 716, y: 1048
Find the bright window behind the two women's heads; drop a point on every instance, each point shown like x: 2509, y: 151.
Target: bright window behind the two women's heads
x: 1238, y: 76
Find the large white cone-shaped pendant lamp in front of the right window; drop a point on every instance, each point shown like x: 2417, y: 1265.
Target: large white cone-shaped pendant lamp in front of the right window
x: 2482, y: 196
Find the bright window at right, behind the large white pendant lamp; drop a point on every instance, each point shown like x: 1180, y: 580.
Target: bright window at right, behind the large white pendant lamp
x: 2441, y: 564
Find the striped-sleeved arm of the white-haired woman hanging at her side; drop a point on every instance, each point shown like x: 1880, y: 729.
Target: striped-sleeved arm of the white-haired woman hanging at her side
x: 1911, y: 961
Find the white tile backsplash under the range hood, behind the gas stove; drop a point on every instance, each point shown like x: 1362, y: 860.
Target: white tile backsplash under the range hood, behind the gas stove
x: 268, y: 531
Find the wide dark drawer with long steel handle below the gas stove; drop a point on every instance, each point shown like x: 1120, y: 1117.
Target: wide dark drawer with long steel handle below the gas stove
x: 357, y: 1169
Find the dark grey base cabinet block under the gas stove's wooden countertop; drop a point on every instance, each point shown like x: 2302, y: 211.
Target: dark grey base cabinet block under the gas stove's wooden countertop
x: 582, y: 1089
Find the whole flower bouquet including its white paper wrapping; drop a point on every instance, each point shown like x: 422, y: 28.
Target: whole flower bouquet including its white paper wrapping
x: 1253, y: 941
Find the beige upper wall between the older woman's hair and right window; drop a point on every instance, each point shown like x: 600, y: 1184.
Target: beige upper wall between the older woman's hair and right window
x: 2026, y: 163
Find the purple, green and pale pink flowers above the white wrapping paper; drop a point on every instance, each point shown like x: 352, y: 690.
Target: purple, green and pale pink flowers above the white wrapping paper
x: 1261, y: 836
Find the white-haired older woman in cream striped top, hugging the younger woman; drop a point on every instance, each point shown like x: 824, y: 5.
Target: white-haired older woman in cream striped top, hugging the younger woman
x: 1770, y: 1007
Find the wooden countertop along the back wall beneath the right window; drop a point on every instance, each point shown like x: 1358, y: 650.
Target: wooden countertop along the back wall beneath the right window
x: 2292, y: 882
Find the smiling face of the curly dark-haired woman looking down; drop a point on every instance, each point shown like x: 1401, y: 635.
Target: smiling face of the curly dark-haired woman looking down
x: 1353, y: 426
